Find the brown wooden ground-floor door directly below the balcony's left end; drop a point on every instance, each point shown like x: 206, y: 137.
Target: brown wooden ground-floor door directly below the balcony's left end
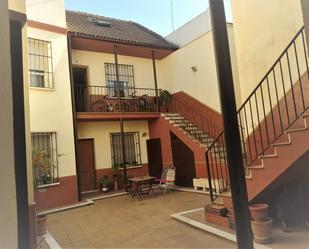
x: 86, y: 164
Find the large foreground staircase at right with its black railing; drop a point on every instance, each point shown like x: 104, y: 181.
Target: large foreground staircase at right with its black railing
x: 273, y: 125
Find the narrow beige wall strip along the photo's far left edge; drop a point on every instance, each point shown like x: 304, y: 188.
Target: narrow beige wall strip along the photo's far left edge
x: 8, y: 209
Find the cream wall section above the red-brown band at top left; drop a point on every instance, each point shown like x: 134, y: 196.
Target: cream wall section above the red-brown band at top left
x: 50, y: 12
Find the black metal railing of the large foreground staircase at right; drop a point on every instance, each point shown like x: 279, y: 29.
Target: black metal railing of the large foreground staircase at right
x: 279, y: 99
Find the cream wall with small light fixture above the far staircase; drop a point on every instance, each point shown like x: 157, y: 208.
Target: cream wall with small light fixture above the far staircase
x: 175, y: 73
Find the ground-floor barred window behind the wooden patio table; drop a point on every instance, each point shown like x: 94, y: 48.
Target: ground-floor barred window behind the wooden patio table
x: 132, y: 148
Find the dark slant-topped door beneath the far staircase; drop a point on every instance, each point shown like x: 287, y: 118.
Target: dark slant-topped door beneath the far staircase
x: 183, y: 160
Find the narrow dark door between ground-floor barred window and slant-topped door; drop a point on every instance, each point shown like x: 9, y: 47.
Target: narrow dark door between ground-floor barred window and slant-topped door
x: 154, y: 157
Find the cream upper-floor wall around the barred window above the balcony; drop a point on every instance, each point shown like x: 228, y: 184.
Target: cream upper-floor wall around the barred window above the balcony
x: 143, y: 71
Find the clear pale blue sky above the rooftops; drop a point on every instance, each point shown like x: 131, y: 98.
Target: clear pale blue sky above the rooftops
x: 154, y: 14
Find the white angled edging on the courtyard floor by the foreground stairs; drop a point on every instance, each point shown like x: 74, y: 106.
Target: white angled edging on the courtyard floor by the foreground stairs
x: 210, y: 229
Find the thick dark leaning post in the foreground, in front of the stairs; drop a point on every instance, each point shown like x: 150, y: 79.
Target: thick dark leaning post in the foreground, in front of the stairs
x: 230, y: 123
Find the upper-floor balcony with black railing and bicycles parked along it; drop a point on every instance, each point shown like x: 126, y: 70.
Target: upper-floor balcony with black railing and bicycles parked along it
x: 101, y: 102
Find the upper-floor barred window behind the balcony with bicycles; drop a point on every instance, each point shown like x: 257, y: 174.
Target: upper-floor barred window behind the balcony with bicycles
x: 126, y: 79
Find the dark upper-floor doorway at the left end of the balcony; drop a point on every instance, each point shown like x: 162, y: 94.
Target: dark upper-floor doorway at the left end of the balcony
x: 80, y: 79
